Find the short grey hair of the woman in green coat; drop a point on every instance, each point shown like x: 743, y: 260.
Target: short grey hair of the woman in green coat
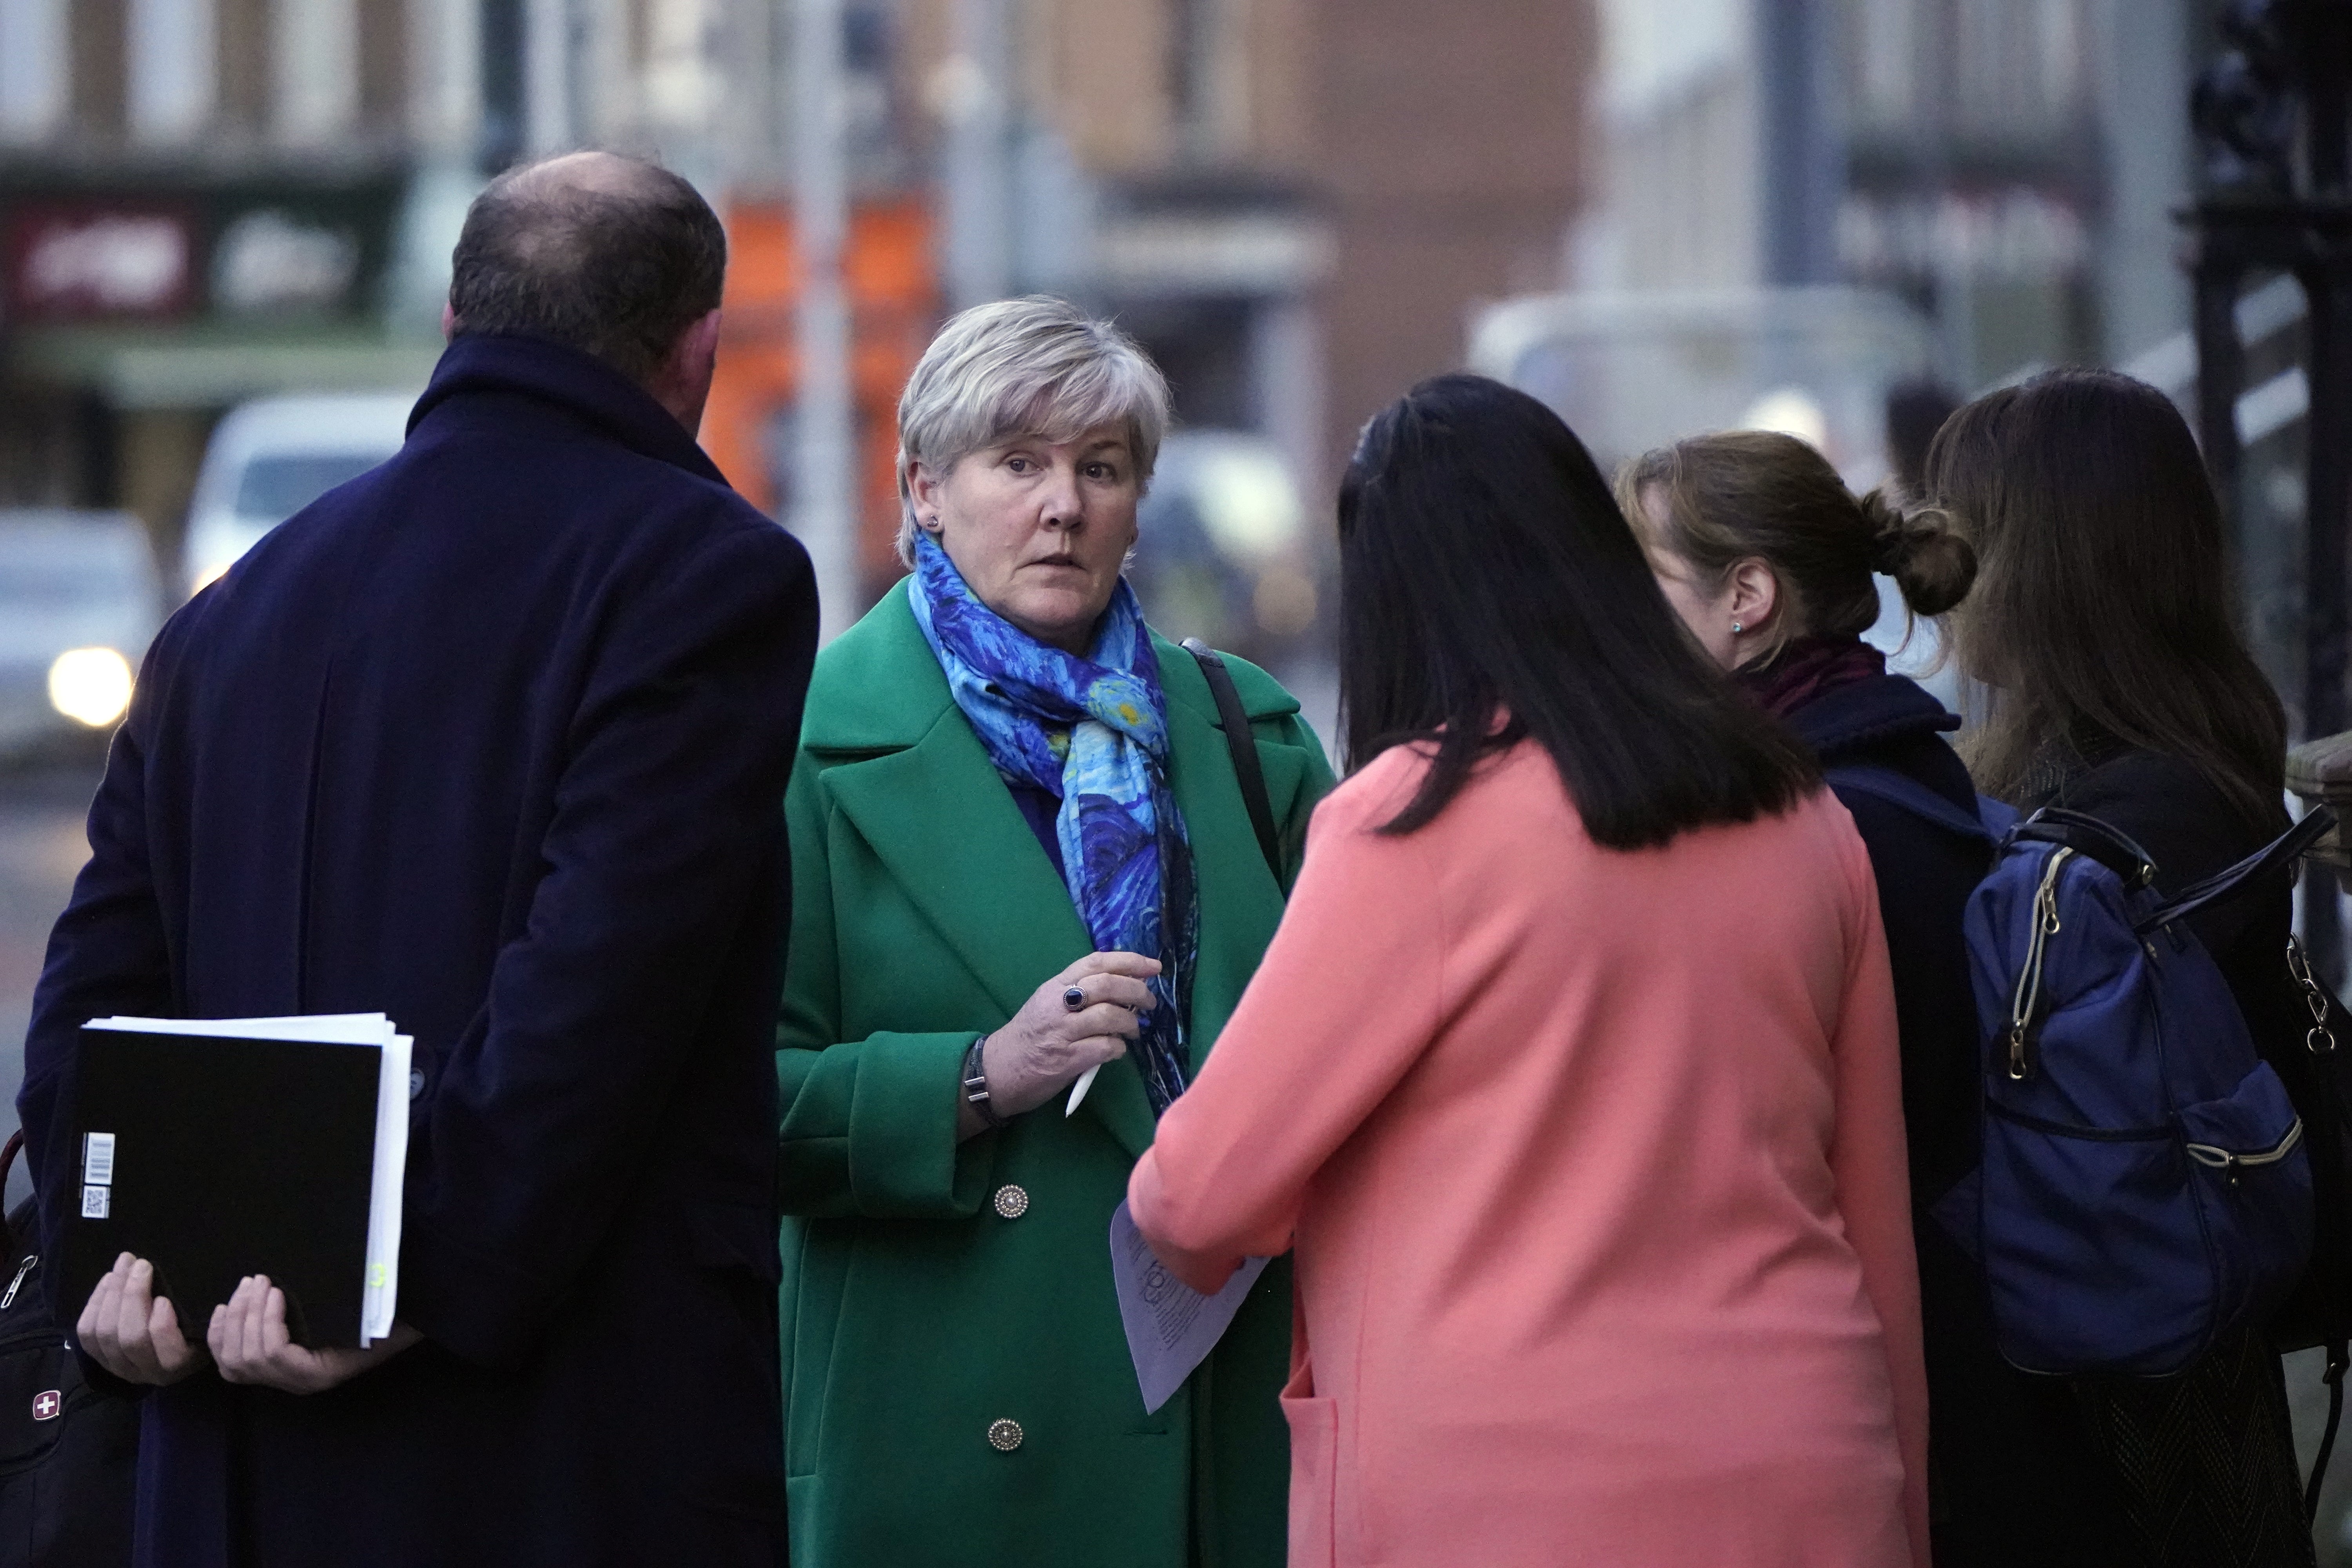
x: 1024, y: 368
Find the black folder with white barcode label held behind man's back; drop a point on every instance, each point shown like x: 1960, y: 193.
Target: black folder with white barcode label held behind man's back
x: 225, y: 1158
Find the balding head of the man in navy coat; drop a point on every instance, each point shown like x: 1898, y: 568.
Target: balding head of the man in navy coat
x: 608, y: 255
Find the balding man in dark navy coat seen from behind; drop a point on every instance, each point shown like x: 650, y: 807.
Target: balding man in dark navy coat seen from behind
x: 495, y: 742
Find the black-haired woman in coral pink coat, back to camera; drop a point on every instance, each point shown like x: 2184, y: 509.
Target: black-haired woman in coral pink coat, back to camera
x: 1570, y: 1073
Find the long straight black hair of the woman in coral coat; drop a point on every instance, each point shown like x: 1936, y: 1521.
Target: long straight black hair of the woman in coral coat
x: 1488, y: 575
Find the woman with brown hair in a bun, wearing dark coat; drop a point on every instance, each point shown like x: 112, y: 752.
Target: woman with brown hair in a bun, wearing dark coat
x: 1770, y: 561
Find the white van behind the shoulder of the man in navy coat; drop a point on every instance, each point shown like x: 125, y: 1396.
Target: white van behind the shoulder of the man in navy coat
x: 274, y: 457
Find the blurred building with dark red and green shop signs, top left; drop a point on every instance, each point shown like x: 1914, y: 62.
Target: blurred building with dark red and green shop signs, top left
x: 206, y: 201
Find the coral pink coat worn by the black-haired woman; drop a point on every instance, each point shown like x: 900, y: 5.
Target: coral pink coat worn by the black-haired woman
x: 1593, y: 1165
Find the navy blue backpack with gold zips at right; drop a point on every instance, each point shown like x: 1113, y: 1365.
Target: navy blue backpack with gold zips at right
x: 2144, y: 1181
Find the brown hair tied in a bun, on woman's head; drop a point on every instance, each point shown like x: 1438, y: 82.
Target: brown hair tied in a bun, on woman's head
x: 1758, y: 495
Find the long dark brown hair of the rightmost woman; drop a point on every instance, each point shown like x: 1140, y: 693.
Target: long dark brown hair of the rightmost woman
x: 2102, y: 608
